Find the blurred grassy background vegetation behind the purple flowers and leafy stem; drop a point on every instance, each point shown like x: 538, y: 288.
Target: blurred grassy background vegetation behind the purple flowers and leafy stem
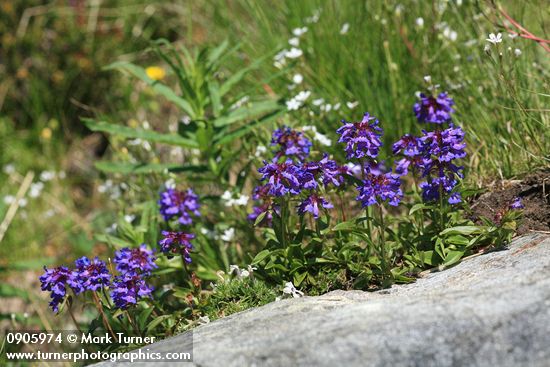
x: 356, y: 56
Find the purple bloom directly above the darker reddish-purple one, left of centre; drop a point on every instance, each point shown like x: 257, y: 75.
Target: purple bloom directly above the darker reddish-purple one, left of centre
x: 182, y: 204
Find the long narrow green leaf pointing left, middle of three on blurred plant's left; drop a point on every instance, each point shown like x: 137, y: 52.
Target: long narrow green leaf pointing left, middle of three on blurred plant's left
x: 131, y: 133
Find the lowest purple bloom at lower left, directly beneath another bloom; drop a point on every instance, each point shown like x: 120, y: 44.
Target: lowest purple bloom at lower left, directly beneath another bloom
x: 128, y: 288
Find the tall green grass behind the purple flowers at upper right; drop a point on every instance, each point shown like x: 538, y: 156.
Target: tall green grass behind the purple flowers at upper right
x: 501, y: 101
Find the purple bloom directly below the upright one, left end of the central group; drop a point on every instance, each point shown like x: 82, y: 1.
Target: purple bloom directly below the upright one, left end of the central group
x: 282, y: 178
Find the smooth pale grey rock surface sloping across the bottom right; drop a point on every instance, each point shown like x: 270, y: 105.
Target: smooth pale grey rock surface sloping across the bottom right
x: 490, y: 310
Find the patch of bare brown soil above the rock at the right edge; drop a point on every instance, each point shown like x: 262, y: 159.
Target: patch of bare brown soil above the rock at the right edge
x: 534, y: 192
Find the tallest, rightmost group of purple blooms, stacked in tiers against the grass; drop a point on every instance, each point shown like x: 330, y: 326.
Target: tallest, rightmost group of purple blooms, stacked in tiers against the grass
x: 433, y: 154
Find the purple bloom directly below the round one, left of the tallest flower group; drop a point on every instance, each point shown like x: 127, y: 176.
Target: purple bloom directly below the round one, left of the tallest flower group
x: 378, y: 187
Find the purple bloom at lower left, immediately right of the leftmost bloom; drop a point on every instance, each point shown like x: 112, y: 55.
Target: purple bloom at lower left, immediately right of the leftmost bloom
x: 89, y: 275
